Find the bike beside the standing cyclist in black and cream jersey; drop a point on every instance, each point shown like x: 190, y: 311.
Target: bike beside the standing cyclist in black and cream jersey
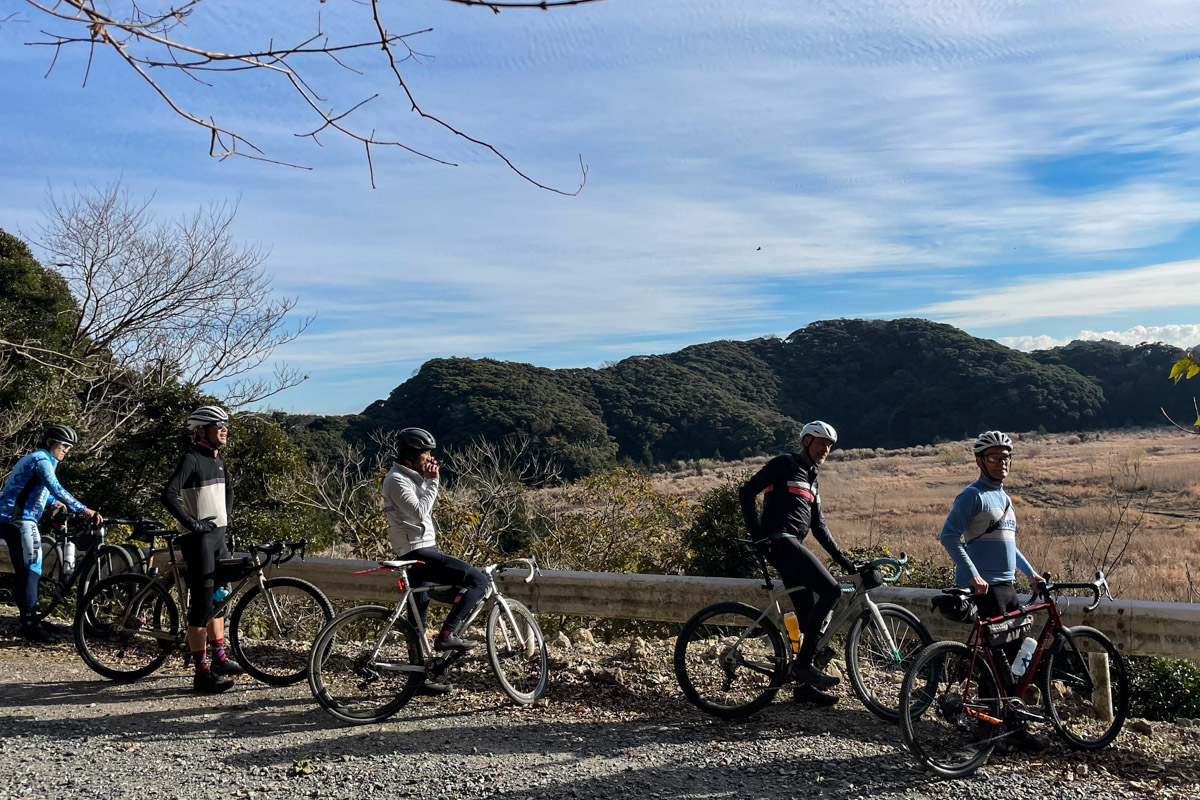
x: 128, y: 625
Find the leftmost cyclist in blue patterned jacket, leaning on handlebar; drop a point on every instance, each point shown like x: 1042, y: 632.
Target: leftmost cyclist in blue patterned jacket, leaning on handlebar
x: 22, y: 502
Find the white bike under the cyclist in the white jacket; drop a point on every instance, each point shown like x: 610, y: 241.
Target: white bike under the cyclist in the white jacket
x: 368, y: 663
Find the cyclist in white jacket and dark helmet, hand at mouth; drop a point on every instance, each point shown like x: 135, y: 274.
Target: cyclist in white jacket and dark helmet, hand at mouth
x: 410, y: 492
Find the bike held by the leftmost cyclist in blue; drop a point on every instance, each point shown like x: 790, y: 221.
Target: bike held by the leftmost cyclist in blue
x: 74, y: 562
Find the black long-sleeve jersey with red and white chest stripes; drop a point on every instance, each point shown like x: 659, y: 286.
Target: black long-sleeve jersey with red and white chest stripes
x: 791, y: 506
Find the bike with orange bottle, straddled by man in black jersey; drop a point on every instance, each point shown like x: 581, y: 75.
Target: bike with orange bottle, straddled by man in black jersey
x: 731, y: 659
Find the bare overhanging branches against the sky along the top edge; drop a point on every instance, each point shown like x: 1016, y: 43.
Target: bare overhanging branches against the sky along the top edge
x: 155, y: 38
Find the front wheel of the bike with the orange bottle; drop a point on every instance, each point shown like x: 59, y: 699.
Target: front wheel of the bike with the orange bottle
x: 877, y: 672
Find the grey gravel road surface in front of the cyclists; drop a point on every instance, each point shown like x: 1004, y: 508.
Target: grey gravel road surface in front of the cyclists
x: 613, y: 726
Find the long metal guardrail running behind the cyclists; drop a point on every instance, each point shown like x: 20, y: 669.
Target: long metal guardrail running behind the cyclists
x: 1137, y: 627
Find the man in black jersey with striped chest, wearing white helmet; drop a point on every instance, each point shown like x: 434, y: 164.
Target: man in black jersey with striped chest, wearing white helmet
x: 791, y: 509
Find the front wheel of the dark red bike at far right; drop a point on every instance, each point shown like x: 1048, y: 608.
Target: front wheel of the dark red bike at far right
x: 1087, y: 688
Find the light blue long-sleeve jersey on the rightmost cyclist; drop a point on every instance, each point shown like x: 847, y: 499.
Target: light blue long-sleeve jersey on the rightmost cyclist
x: 981, y: 536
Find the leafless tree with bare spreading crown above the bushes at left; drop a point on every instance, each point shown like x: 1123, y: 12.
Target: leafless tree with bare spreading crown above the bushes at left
x: 176, y: 300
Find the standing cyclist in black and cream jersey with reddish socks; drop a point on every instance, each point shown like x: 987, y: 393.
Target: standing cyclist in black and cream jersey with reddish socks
x: 200, y: 497
